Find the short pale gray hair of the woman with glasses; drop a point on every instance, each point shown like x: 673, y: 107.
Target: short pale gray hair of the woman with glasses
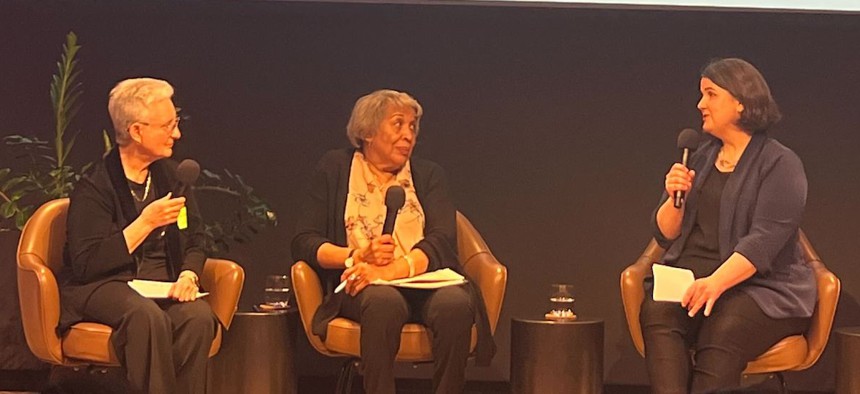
x: 129, y: 102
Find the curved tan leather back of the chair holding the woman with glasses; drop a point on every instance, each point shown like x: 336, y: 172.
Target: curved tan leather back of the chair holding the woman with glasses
x: 40, y: 254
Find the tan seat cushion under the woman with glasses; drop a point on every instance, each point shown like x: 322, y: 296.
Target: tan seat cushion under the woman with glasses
x: 89, y: 342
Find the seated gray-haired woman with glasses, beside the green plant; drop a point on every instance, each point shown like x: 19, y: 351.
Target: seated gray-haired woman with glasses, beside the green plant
x: 121, y: 227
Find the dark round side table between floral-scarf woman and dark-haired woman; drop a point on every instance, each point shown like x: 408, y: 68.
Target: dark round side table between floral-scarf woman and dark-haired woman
x: 556, y: 357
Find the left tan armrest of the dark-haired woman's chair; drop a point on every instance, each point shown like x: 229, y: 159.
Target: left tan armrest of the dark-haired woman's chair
x: 633, y: 291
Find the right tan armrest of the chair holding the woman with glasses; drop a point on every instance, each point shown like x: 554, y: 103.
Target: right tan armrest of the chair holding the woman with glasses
x: 223, y: 279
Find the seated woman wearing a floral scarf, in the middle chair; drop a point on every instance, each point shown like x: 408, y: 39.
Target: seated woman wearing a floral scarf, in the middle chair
x: 340, y: 234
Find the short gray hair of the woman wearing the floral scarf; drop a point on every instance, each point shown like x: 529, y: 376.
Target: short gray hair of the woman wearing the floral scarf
x: 369, y: 110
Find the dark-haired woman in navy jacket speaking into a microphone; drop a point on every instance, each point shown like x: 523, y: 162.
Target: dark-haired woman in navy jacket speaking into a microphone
x: 738, y: 233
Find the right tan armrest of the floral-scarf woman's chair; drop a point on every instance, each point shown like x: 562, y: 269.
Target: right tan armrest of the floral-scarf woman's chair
x: 492, y: 278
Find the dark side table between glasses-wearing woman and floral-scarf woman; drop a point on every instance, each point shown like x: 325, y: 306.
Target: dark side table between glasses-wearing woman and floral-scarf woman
x: 256, y: 355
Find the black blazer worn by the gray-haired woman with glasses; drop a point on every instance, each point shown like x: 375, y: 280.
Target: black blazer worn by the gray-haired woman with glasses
x: 100, y: 208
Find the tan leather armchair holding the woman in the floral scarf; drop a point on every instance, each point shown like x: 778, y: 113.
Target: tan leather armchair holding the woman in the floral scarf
x: 342, y: 339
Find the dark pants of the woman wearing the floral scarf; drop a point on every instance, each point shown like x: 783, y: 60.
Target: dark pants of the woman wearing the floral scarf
x: 382, y: 312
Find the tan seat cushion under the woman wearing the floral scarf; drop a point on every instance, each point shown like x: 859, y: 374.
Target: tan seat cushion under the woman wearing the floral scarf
x: 415, y: 340
